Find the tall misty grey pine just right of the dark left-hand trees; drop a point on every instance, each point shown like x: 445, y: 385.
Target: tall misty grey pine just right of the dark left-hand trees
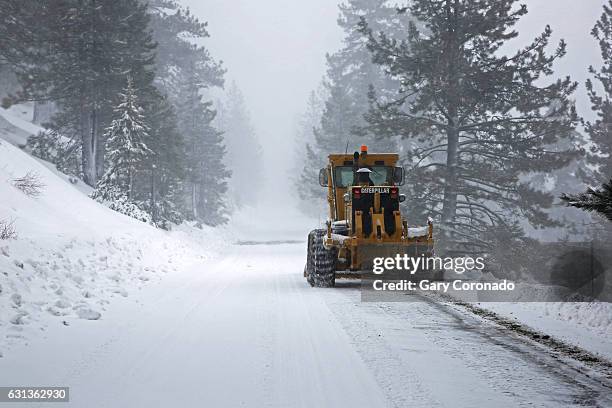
x: 185, y: 69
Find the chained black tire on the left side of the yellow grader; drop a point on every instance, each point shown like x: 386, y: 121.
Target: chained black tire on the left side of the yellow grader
x: 322, y: 272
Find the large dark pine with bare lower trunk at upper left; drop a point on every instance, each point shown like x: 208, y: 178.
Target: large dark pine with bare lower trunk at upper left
x: 84, y: 48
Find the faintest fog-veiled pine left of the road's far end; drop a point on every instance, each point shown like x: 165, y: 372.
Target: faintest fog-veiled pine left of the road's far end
x: 244, y: 153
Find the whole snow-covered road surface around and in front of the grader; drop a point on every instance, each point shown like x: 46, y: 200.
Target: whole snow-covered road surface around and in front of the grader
x: 246, y: 330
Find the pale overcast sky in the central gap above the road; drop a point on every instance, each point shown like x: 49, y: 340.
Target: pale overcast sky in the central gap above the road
x: 275, y: 51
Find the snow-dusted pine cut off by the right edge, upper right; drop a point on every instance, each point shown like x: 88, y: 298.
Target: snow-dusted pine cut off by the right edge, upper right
x: 600, y: 131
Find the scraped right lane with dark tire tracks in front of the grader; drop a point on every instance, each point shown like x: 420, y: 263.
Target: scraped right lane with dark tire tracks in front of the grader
x: 504, y: 368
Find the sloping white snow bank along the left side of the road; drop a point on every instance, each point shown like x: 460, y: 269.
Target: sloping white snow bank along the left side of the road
x: 72, y: 256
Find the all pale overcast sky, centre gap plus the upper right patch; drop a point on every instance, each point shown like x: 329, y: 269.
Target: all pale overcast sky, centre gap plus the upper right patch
x: 275, y: 50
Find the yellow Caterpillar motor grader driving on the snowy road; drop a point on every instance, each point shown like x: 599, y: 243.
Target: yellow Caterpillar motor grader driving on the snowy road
x: 365, y: 221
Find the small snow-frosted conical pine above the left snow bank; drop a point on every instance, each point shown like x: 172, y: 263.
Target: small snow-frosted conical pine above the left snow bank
x: 126, y: 151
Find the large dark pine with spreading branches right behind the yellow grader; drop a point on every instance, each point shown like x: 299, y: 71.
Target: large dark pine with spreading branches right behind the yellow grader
x: 476, y: 119
